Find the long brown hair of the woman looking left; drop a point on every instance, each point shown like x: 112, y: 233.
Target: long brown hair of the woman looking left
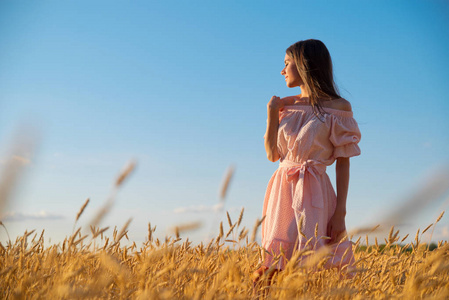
x: 314, y: 65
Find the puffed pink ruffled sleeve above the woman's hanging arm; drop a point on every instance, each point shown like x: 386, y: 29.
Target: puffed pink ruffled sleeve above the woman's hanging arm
x: 345, y: 135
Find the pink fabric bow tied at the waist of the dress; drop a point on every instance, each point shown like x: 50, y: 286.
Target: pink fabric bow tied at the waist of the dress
x: 306, y: 173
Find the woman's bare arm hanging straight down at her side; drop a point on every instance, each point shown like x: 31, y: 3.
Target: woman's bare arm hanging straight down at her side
x: 336, y: 228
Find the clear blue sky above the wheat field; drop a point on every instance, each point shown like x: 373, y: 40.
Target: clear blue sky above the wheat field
x: 182, y: 87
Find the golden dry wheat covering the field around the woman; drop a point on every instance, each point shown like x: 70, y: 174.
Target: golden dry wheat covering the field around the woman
x: 96, y: 266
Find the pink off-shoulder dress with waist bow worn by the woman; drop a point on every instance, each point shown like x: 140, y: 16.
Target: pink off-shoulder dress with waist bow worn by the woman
x: 300, y: 187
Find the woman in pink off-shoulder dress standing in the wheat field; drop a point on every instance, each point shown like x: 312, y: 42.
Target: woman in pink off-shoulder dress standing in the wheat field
x: 307, y: 133
